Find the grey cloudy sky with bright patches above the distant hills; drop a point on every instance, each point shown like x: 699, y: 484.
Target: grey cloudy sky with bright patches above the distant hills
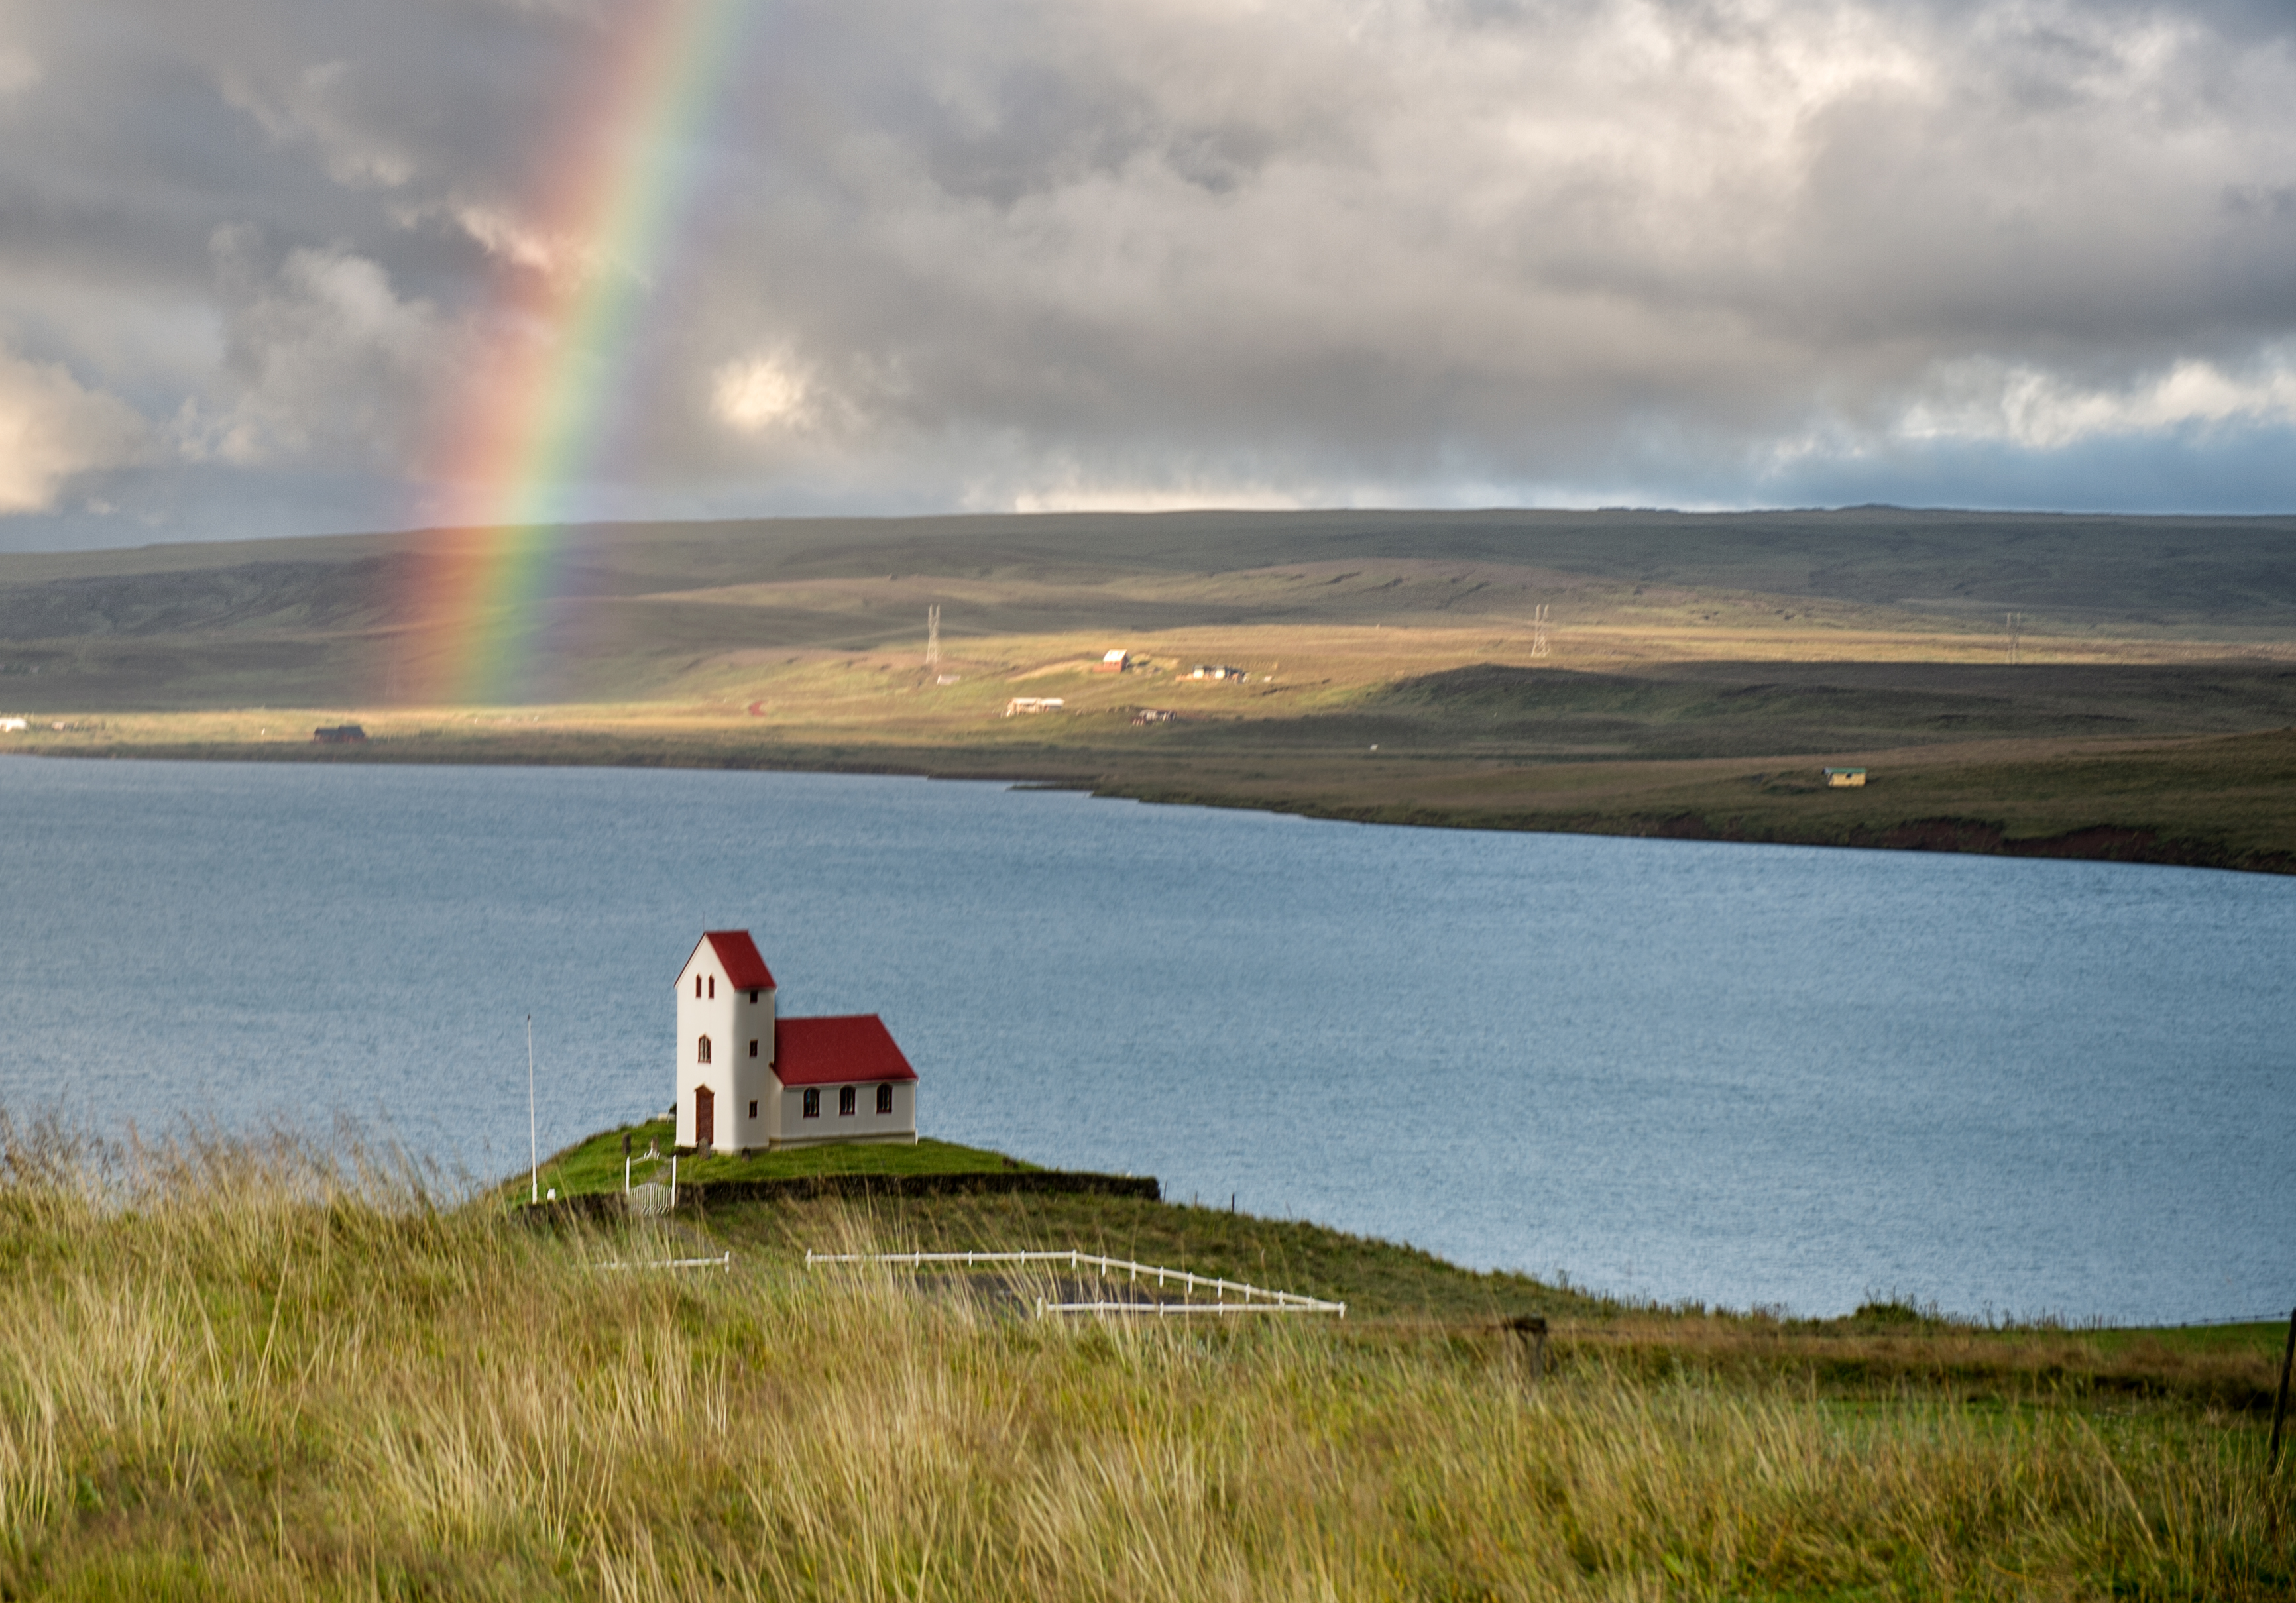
x: 267, y: 265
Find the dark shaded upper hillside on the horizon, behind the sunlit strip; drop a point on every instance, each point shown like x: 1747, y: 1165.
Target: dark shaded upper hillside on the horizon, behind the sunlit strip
x: 635, y: 607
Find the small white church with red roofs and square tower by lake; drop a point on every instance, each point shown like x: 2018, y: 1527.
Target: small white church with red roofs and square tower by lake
x: 750, y: 1081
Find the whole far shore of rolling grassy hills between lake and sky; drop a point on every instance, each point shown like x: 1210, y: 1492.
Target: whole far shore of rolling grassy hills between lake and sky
x: 1693, y: 679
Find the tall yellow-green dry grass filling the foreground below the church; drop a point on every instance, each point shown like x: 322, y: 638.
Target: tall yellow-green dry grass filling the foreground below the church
x: 251, y: 1370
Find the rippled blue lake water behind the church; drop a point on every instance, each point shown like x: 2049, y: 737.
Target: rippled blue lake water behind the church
x: 1751, y: 1076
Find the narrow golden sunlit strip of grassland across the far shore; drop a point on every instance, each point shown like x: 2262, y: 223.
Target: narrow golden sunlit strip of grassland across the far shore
x: 885, y: 695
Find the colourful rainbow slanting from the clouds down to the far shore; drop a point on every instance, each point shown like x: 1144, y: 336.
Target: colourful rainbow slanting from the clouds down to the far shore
x: 527, y: 435
